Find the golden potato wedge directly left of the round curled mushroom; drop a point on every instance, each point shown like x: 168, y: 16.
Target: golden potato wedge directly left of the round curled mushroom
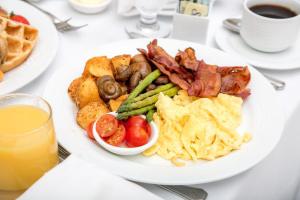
x: 87, y: 92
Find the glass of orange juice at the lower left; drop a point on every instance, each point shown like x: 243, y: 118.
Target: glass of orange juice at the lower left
x: 28, y: 146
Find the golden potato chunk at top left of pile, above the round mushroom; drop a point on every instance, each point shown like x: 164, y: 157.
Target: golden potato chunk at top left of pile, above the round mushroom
x: 98, y: 66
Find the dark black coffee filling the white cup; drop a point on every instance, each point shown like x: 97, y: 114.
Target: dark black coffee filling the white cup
x: 273, y: 11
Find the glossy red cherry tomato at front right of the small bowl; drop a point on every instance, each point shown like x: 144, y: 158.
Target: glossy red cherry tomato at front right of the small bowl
x: 136, y: 136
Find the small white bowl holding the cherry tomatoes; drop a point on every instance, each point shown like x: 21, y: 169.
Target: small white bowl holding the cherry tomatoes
x: 127, y: 150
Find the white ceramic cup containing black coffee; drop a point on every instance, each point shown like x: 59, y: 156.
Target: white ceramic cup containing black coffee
x: 269, y: 34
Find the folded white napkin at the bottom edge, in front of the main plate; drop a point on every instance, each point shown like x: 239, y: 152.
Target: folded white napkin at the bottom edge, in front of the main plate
x: 75, y: 178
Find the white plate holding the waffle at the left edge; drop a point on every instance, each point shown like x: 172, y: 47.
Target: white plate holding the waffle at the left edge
x: 41, y: 56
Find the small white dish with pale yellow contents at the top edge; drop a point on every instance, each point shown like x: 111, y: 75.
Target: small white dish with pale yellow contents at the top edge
x: 89, y: 8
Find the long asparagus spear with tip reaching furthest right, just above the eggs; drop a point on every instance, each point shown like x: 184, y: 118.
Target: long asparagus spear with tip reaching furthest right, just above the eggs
x: 147, y: 101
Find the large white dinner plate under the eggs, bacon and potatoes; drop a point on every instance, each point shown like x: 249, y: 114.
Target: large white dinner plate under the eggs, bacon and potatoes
x: 262, y: 117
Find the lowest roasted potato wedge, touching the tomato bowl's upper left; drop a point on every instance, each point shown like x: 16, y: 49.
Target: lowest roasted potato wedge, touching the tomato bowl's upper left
x: 90, y: 113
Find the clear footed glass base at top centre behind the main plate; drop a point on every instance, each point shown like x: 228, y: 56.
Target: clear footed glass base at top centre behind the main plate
x: 148, y: 25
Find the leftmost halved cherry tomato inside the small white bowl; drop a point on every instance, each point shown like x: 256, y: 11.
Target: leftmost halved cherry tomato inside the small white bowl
x: 106, y: 125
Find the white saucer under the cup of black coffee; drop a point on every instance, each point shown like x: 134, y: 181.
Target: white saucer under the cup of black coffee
x: 233, y: 43
